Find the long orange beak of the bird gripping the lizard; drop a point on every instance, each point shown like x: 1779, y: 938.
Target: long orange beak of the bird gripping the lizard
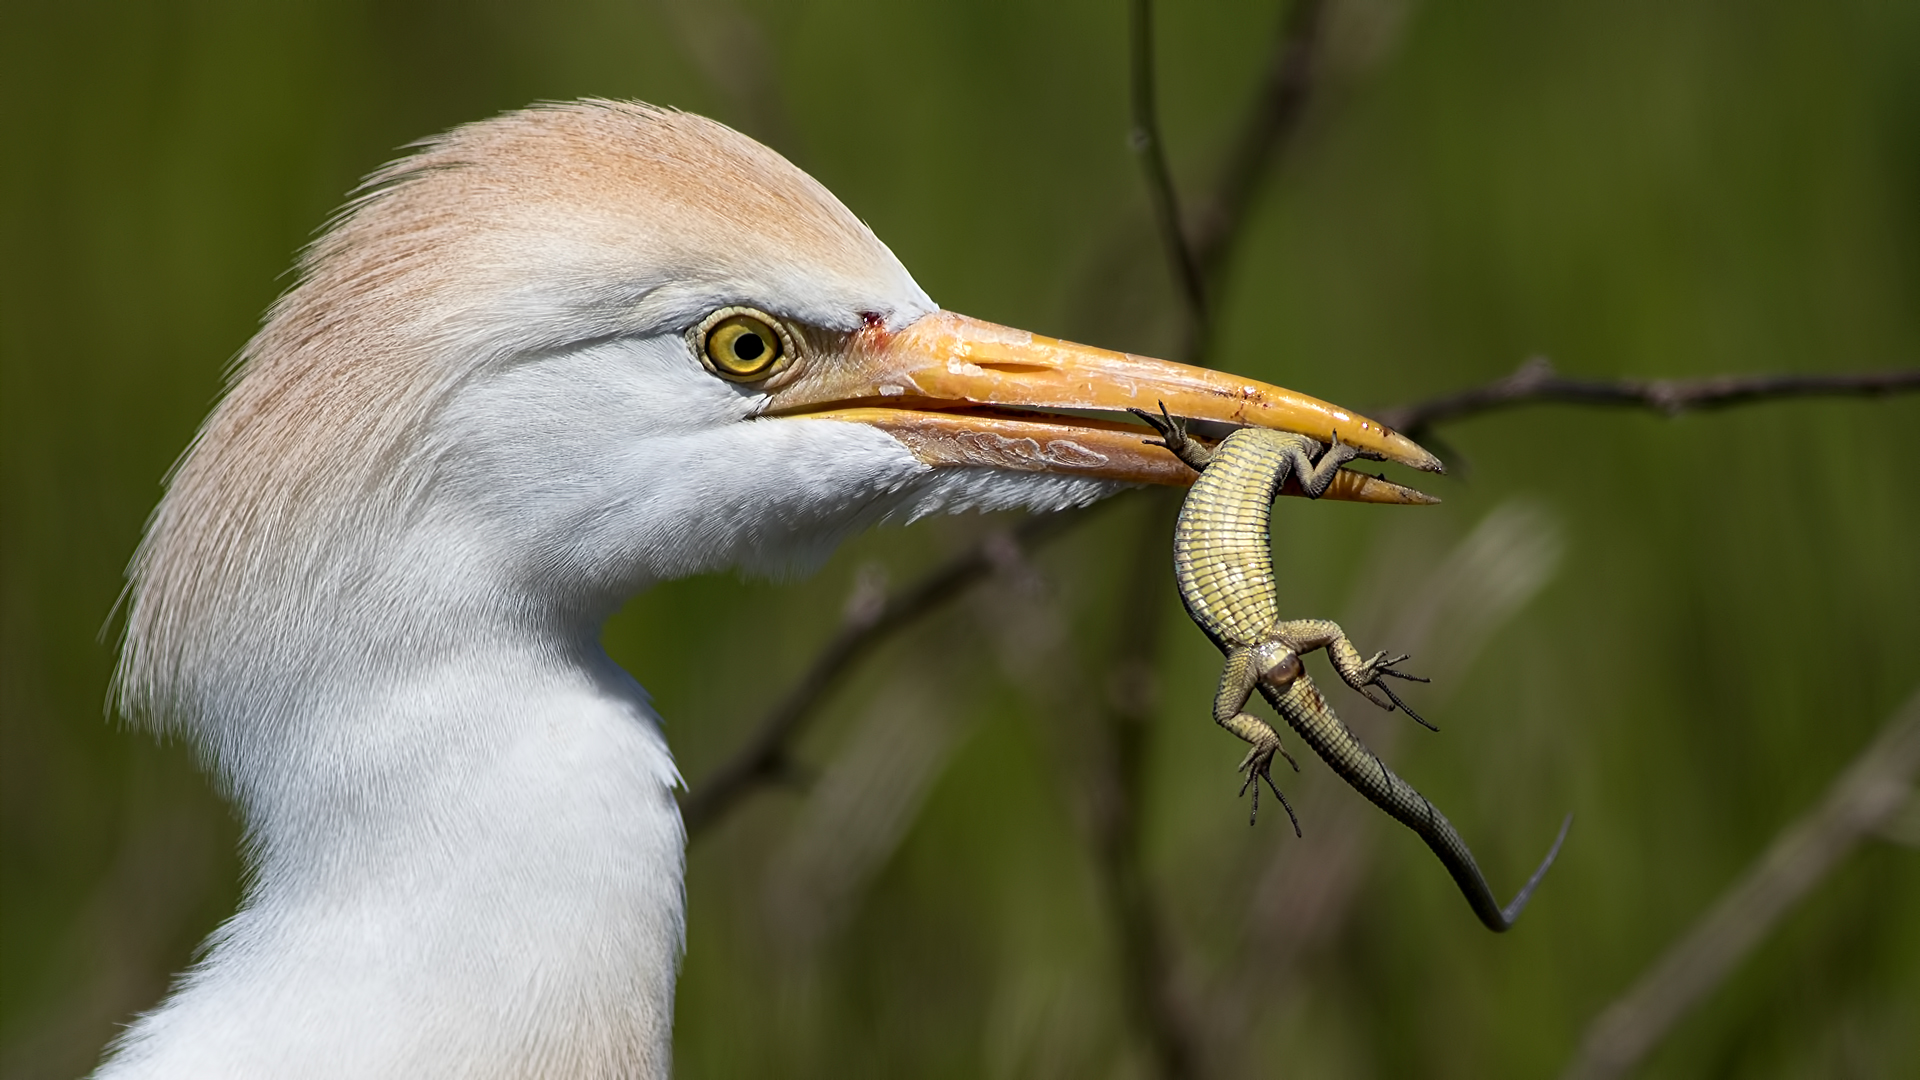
x: 963, y: 393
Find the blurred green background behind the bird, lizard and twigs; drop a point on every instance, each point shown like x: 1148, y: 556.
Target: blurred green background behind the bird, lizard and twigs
x: 1677, y: 629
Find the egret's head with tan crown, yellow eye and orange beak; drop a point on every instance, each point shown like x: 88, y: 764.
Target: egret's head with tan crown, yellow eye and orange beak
x: 560, y: 355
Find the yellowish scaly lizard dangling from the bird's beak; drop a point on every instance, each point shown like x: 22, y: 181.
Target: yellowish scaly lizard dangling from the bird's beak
x: 1224, y: 566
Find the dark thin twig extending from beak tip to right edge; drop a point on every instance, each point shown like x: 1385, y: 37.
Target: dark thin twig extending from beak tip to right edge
x: 1537, y: 383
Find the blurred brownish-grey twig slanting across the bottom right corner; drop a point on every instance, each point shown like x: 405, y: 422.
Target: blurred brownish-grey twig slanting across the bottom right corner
x: 1869, y: 795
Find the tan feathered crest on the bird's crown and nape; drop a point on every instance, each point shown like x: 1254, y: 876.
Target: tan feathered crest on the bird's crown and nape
x: 500, y: 239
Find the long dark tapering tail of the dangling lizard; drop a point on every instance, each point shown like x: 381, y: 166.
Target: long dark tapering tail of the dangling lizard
x: 1310, y: 716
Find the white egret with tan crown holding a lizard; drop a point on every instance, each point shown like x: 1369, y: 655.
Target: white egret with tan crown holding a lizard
x: 531, y: 370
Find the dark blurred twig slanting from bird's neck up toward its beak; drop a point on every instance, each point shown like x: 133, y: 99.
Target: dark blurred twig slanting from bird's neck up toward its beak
x: 765, y: 756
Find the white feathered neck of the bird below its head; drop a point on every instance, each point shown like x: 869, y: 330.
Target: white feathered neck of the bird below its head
x: 473, y: 871
